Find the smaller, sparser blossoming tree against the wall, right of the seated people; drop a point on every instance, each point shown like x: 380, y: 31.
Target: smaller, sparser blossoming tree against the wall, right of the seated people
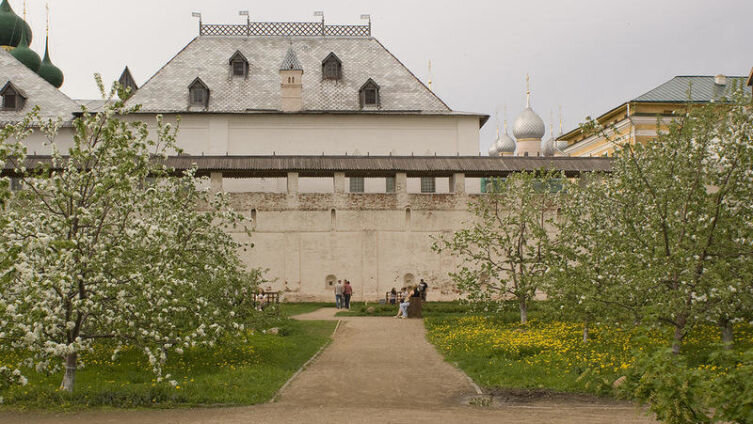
x: 503, y: 248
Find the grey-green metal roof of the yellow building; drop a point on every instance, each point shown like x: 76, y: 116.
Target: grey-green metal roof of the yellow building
x: 691, y: 88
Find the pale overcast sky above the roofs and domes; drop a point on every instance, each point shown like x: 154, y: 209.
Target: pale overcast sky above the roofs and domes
x: 585, y: 55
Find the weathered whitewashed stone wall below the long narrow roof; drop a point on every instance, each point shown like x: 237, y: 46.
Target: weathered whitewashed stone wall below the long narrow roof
x: 376, y: 241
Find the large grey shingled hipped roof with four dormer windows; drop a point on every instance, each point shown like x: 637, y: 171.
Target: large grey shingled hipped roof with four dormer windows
x: 207, y: 57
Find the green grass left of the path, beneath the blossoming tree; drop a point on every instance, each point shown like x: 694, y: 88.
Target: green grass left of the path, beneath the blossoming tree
x: 239, y: 371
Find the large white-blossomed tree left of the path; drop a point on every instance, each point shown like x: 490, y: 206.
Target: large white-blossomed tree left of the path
x: 108, y: 243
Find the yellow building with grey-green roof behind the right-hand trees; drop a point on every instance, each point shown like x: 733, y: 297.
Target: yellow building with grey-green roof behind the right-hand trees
x: 636, y: 119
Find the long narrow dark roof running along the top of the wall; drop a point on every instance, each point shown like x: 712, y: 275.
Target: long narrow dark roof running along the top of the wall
x: 368, y: 166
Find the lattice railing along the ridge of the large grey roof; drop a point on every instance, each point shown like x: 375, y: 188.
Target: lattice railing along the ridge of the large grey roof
x: 285, y: 29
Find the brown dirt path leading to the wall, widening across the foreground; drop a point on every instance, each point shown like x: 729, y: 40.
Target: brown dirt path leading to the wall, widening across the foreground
x: 377, y: 370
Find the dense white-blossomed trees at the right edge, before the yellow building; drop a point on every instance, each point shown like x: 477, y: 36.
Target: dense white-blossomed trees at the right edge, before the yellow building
x: 667, y: 236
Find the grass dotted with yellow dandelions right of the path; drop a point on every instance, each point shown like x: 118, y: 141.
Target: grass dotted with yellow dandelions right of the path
x: 498, y: 353
